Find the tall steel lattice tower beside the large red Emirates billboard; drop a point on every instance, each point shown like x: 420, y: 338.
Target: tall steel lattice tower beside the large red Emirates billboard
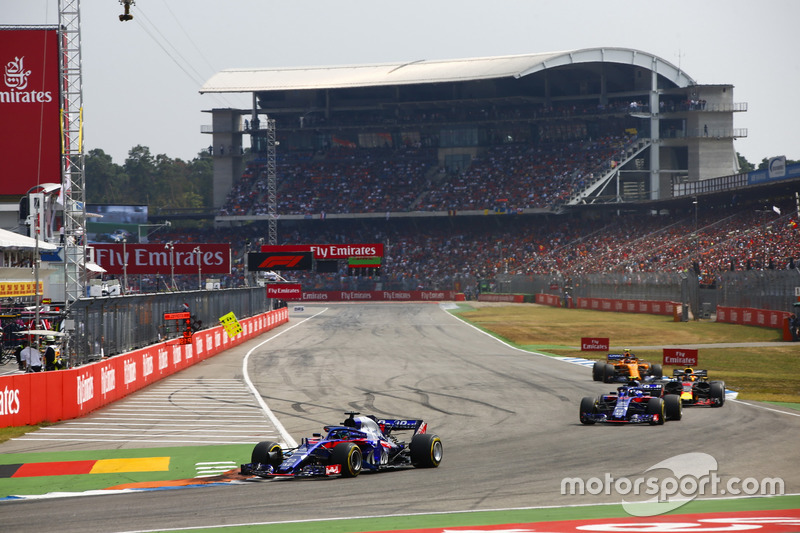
x: 73, y: 183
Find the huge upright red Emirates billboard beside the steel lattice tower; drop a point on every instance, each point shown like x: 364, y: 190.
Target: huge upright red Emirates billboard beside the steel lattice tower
x: 29, y: 109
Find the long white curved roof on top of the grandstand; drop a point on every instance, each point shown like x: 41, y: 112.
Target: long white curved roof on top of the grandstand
x: 437, y: 71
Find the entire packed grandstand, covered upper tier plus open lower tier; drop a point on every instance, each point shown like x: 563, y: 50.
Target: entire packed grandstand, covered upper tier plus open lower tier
x: 570, y: 163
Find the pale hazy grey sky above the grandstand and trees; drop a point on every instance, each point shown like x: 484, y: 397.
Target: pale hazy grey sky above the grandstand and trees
x: 141, y: 78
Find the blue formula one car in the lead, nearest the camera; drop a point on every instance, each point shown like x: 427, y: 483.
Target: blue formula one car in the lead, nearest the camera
x: 360, y: 443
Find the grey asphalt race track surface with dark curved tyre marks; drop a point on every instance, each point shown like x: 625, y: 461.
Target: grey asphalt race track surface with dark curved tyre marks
x: 508, y: 420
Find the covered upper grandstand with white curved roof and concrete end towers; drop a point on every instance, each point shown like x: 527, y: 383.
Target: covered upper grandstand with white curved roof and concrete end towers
x: 532, y: 133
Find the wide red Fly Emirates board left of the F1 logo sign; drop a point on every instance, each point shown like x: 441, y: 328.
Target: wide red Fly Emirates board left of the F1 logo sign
x: 156, y: 259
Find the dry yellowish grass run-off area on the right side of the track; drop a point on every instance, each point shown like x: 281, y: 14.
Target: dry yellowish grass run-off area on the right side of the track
x: 759, y: 373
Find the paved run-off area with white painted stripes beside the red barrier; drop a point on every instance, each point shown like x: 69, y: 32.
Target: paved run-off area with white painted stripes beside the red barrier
x: 175, y: 412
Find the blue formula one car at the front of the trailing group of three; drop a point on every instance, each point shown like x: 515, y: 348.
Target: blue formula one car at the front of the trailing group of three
x: 632, y: 403
